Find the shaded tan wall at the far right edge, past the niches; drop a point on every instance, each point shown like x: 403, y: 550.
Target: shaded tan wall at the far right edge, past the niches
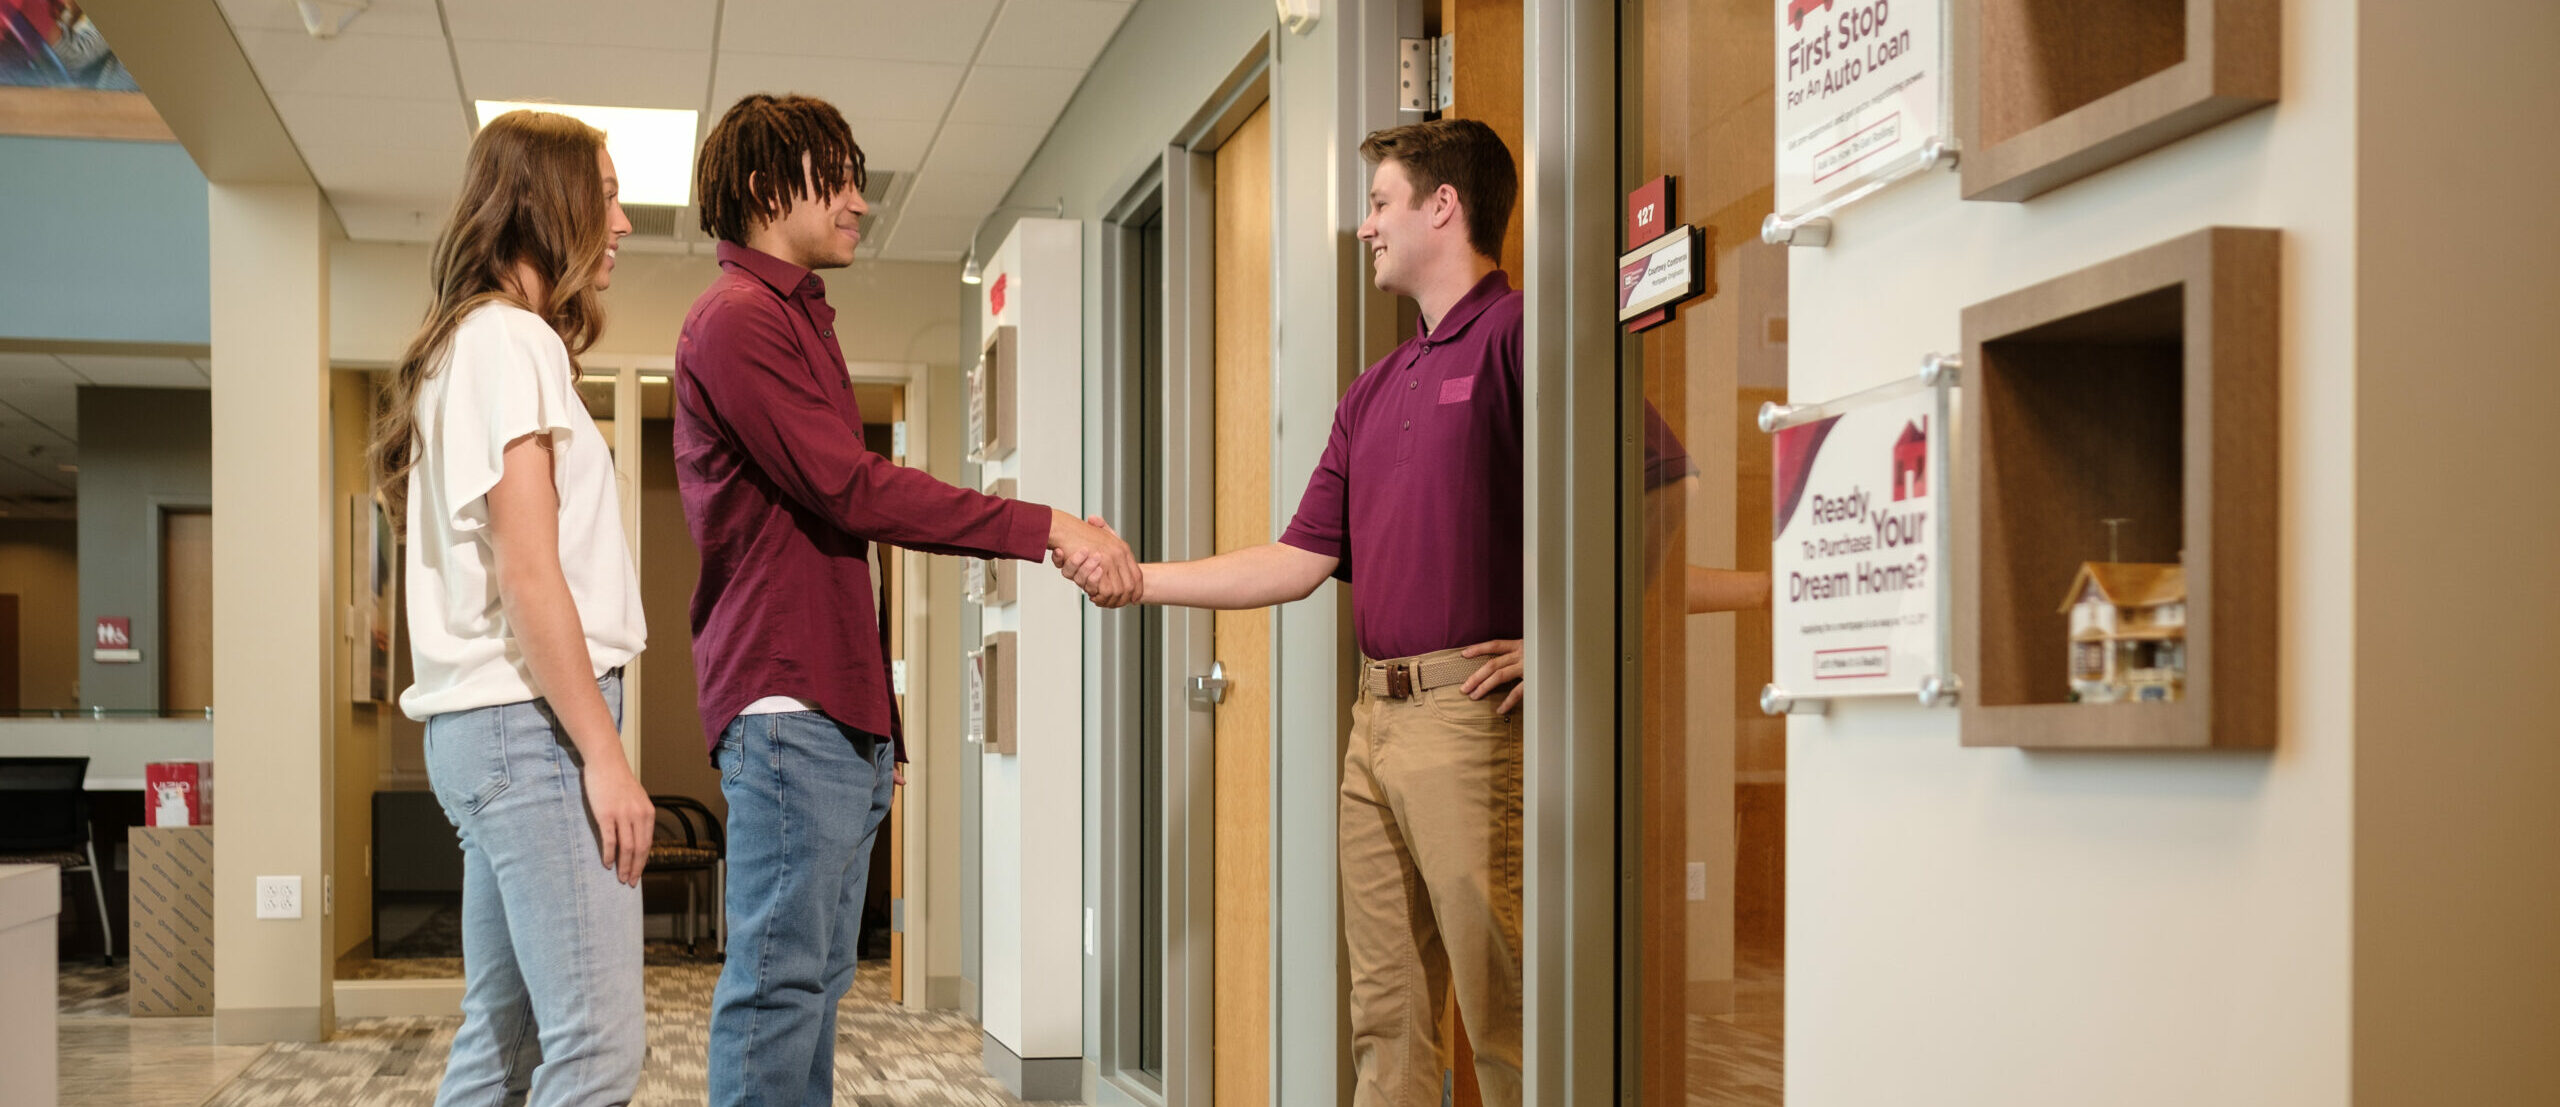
x: 2454, y: 519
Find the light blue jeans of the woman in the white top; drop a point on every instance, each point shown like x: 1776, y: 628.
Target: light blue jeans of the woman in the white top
x: 552, y: 939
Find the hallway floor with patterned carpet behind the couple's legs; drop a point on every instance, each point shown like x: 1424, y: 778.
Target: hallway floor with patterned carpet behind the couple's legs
x: 887, y: 1057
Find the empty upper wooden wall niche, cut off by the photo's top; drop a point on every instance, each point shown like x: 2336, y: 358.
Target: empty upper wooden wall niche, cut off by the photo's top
x: 2054, y: 91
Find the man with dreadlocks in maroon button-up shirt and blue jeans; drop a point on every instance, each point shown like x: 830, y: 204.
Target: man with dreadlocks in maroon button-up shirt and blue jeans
x: 787, y: 639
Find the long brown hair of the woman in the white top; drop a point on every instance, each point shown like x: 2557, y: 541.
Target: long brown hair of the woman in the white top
x: 531, y: 196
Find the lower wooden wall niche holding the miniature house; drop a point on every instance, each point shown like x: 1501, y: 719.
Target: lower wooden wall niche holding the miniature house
x: 2134, y: 391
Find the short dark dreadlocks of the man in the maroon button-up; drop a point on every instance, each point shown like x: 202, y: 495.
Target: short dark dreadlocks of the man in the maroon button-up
x: 751, y: 165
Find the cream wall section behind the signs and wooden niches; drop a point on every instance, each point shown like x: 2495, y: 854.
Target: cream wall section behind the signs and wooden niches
x: 1998, y: 929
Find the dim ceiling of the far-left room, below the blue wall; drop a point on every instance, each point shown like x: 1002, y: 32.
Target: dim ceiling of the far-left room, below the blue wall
x: 40, y: 419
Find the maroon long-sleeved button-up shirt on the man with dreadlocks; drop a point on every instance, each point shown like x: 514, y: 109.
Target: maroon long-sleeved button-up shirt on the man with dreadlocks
x: 785, y: 504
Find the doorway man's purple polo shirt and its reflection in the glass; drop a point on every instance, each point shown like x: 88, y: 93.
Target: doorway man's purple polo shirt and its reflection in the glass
x: 1420, y: 486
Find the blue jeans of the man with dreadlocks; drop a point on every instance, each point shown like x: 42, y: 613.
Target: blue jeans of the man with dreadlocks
x: 805, y: 796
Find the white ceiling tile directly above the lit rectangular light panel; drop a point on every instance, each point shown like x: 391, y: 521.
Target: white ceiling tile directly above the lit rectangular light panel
x: 588, y: 76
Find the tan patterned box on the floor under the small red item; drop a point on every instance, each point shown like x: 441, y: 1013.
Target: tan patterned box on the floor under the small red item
x: 173, y: 921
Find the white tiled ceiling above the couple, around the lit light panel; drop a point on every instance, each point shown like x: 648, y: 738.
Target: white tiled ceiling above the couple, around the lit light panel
x: 954, y: 96
